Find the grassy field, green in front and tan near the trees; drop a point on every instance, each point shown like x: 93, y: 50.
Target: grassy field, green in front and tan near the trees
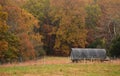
x: 60, y: 66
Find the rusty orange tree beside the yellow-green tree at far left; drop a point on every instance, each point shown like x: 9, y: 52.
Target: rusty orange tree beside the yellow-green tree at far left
x: 22, y: 24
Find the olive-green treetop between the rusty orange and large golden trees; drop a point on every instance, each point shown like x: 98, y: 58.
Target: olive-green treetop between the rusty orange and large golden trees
x: 39, y: 8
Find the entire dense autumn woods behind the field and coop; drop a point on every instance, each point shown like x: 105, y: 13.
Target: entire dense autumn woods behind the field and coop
x: 30, y: 29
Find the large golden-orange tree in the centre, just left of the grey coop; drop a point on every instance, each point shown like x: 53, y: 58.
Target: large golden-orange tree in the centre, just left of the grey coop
x: 71, y: 30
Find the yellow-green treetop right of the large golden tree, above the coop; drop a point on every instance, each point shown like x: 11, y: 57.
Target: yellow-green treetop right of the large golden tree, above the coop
x: 93, y: 15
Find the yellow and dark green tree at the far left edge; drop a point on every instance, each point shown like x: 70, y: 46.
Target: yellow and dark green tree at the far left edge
x: 9, y: 43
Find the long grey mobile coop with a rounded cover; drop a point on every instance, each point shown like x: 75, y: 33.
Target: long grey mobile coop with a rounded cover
x: 87, y: 54
